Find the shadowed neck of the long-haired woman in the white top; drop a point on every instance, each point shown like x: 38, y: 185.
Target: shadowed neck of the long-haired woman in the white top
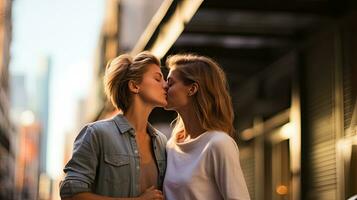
x: 192, y: 126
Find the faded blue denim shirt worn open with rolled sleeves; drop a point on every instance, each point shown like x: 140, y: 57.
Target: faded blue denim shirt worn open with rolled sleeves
x: 106, y: 160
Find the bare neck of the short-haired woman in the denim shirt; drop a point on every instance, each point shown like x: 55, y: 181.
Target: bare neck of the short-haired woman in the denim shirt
x: 138, y: 115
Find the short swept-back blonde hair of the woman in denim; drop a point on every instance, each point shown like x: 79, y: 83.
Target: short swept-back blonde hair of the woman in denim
x: 120, y: 71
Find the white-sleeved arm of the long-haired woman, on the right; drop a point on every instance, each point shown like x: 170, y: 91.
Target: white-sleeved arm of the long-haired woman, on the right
x: 227, y: 170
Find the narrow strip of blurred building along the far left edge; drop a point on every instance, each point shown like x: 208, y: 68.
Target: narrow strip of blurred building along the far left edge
x: 7, y: 156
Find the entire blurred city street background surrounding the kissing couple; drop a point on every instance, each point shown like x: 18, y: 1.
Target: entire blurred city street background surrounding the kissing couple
x: 291, y: 66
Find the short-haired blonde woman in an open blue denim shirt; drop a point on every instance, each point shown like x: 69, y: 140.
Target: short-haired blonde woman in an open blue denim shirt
x: 123, y: 157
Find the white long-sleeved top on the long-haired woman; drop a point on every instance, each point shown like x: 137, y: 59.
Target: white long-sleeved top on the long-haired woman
x: 204, y: 168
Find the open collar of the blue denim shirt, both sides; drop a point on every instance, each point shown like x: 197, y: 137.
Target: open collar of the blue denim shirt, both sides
x: 125, y: 126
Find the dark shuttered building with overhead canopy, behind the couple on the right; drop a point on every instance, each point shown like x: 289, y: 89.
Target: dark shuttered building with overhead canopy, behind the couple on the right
x: 292, y: 72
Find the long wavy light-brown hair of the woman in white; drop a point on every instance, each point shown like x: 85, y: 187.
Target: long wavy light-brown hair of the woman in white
x: 212, y: 102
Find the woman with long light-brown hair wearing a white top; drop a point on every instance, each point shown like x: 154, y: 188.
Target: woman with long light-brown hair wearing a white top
x: 202, y: 157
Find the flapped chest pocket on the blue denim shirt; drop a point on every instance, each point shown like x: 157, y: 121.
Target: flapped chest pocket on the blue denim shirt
x: 117, y: 168
